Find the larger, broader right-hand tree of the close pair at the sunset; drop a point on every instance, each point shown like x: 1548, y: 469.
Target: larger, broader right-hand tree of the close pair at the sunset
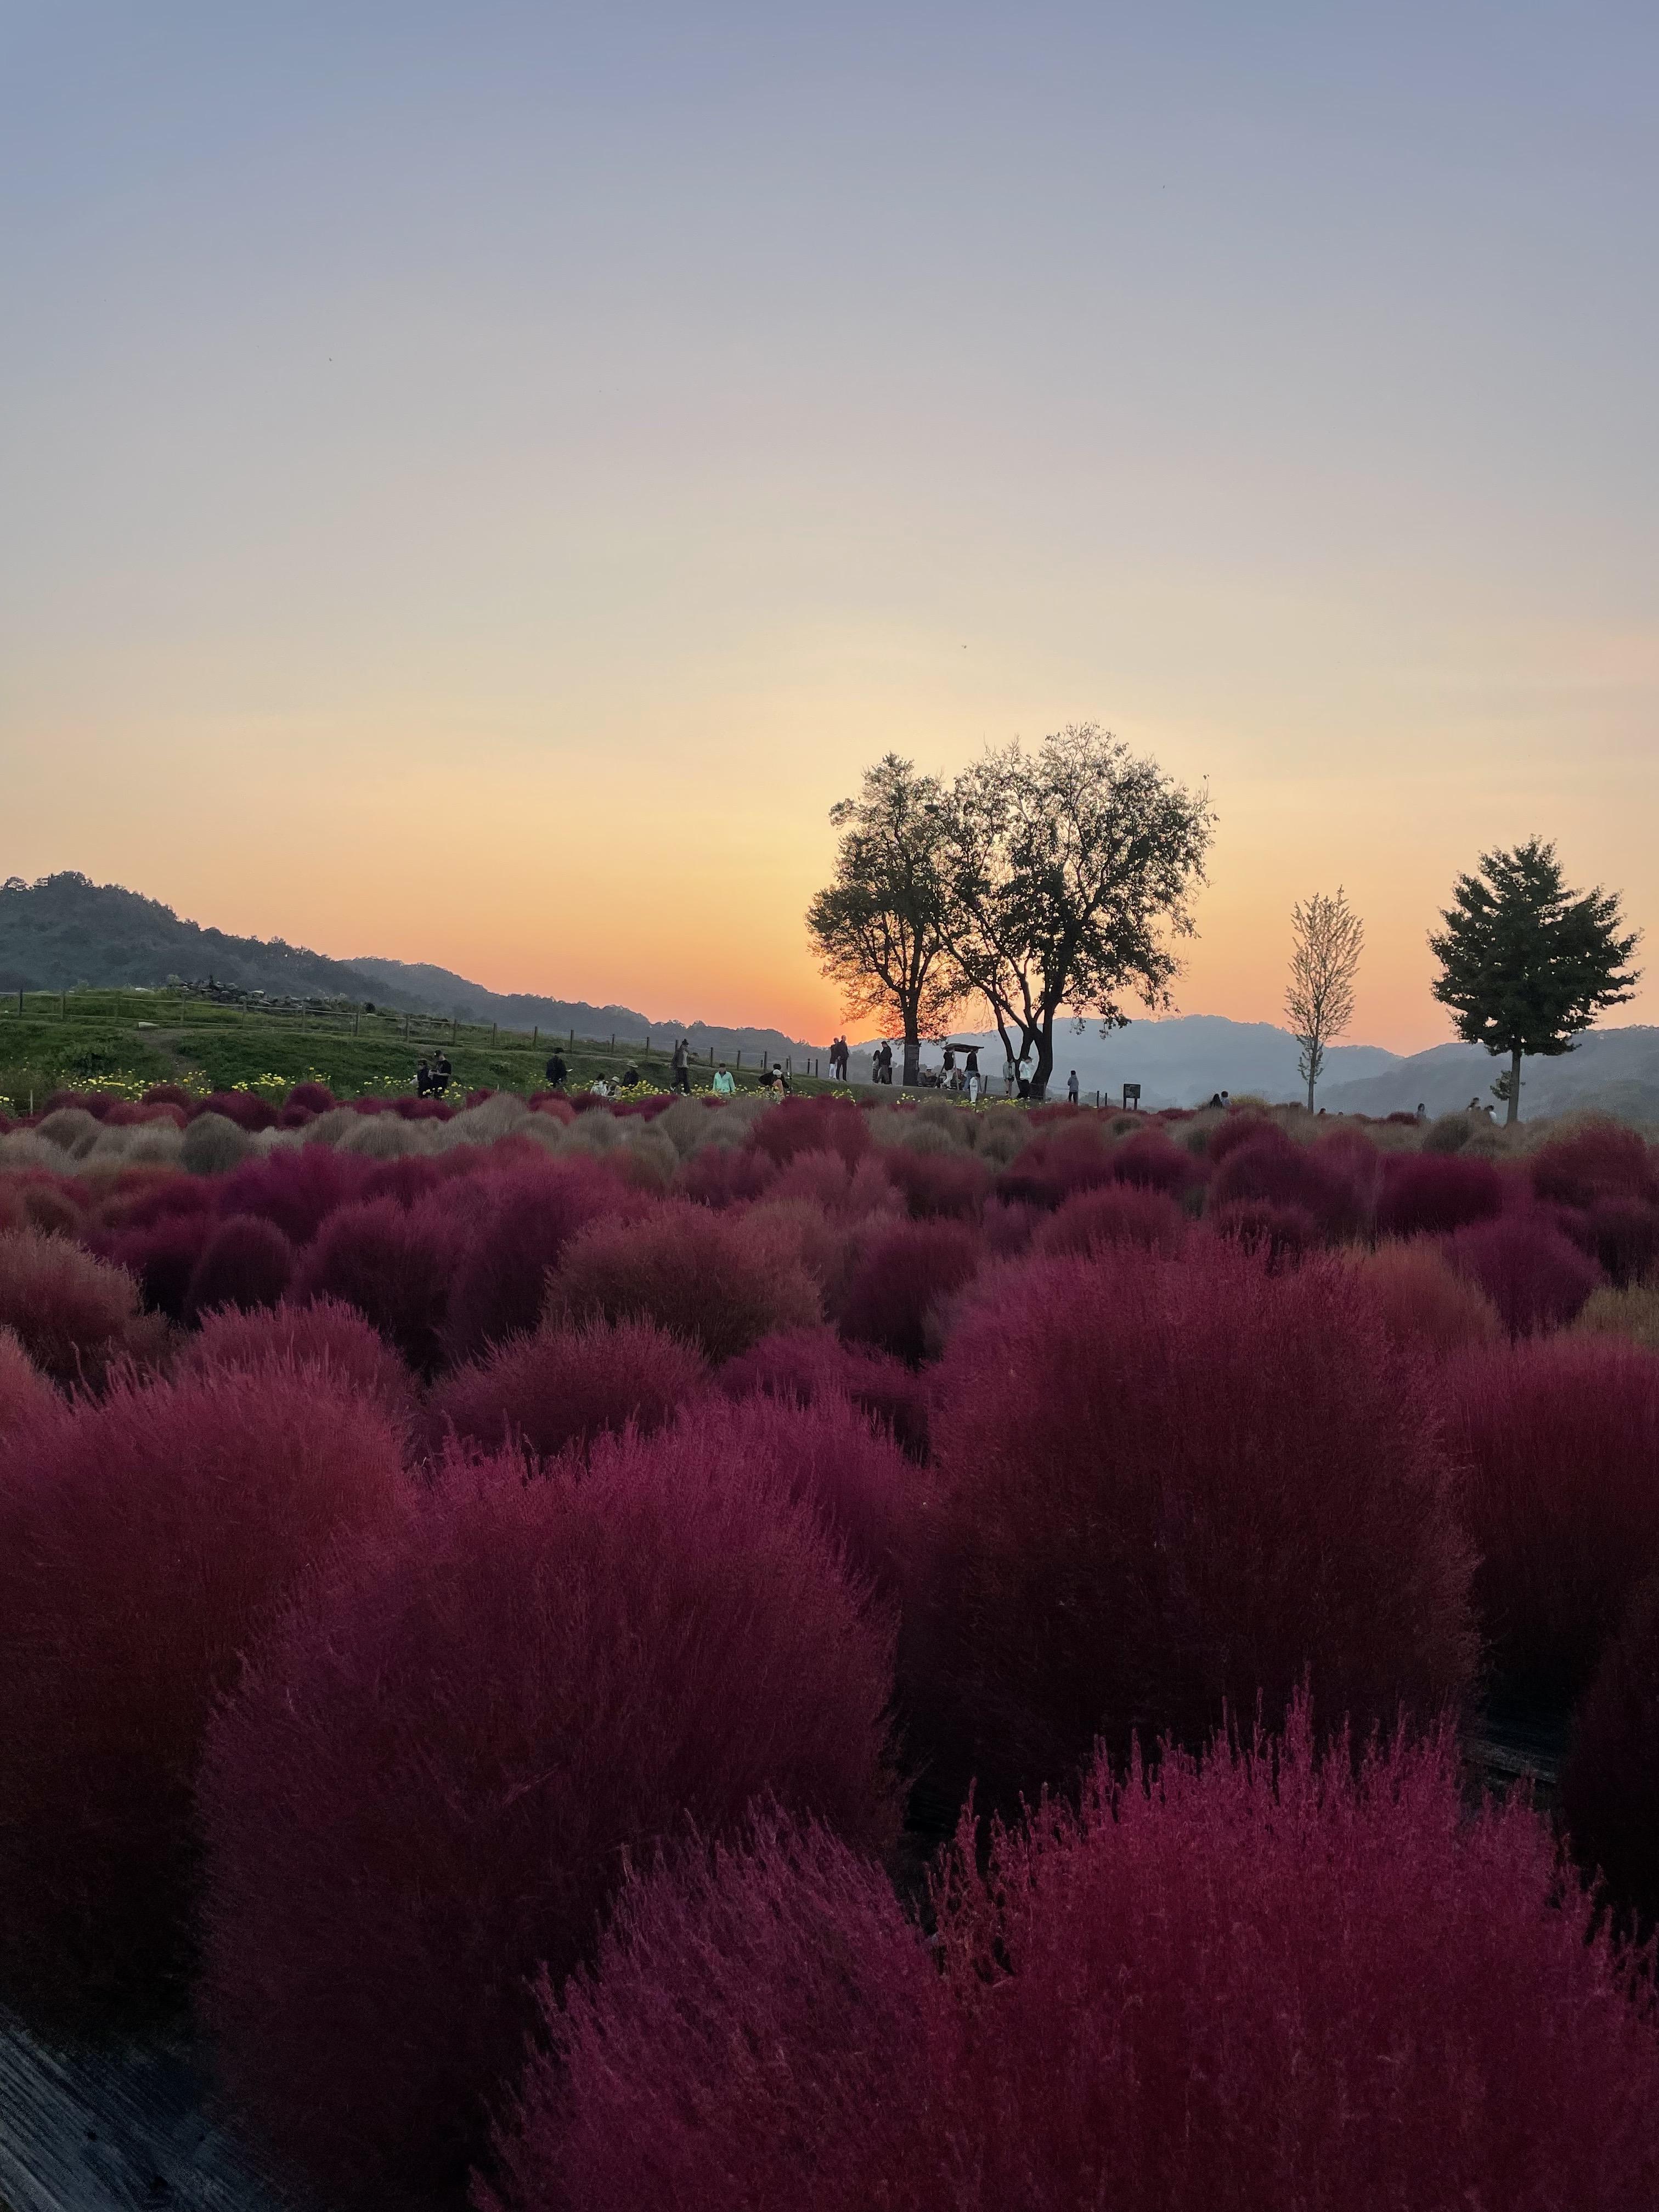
x: 1070, y: 875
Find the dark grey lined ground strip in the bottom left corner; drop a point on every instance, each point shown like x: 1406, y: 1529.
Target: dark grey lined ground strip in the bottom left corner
x: 114, y: 2131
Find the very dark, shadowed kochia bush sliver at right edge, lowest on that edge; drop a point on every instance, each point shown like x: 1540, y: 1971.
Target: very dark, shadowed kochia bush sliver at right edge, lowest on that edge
x: 1611, y: 1777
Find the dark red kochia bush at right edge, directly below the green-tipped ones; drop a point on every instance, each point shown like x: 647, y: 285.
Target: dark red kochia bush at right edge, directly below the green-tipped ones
x: 1561, y: 1441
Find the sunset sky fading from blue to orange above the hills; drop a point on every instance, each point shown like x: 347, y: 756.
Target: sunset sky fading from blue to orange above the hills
x: 479, y: 483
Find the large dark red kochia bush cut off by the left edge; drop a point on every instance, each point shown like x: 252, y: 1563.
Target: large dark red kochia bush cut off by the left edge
x: 143, y: 1545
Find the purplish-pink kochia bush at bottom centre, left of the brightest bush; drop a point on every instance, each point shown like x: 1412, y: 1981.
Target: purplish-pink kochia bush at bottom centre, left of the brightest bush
x: 764, y: 2030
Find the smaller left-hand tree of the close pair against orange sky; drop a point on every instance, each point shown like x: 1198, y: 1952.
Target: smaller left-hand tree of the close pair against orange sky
x: 884, y: 926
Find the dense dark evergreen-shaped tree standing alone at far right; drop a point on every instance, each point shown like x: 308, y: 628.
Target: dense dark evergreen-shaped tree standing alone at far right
x: 1525, y: 963
